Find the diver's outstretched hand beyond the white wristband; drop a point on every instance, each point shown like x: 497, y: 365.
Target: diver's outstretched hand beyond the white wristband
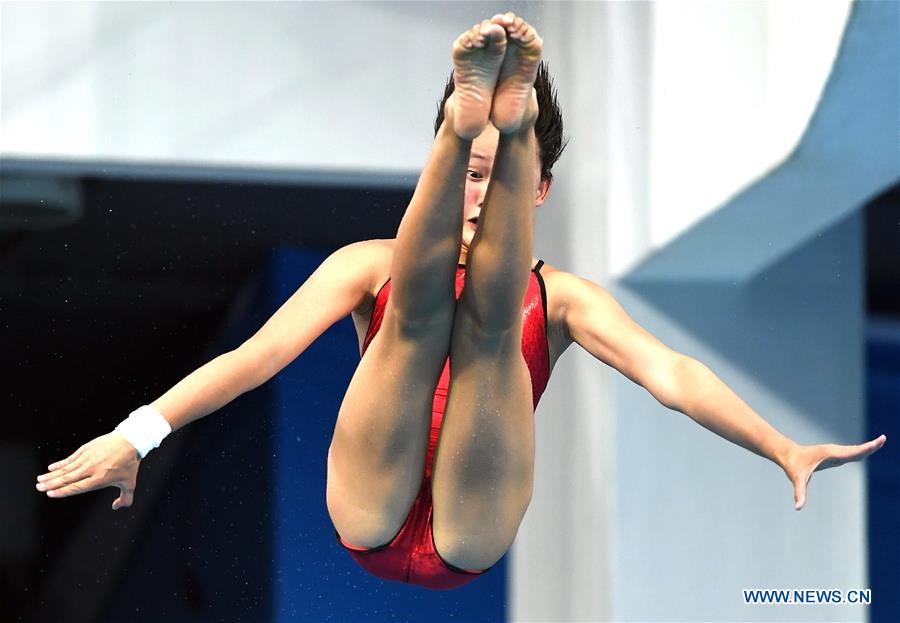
x: 108, y: 460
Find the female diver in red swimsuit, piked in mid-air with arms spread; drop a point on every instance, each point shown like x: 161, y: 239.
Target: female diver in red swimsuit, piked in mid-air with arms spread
x: 431, y: 463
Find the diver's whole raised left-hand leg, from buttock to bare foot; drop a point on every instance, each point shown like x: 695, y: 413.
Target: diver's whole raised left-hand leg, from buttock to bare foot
x: 376, y: 459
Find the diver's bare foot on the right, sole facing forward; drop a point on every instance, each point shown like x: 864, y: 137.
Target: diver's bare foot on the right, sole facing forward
x: 515, y: 100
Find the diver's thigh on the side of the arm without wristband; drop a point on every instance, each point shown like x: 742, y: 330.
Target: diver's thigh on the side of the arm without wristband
x: 484, y: 462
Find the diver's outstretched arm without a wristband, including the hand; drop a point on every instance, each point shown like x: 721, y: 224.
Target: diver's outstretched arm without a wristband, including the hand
x: 599, y: 324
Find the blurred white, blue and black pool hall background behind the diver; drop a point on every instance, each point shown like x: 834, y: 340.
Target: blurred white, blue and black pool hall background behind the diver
x: 171, y: 172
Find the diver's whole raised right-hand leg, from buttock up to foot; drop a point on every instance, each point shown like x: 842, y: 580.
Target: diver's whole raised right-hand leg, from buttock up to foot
x: 484, y: 462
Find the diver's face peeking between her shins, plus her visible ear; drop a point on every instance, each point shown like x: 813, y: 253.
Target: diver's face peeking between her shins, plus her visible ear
x: 478, y: 176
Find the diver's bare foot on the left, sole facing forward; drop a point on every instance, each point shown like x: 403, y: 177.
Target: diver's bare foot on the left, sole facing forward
x: 477, y: 56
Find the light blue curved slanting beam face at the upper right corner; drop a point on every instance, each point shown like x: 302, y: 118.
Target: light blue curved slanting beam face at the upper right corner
x: 847, y: 155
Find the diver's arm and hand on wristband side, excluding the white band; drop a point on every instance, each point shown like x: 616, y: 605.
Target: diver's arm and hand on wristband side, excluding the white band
x: 337, y: 287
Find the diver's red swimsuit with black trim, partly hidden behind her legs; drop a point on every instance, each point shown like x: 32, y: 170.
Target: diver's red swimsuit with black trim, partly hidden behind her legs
x: 411, y: 556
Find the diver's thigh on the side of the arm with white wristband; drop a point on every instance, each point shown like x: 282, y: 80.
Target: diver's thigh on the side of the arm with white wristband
x: 377, y: 455
